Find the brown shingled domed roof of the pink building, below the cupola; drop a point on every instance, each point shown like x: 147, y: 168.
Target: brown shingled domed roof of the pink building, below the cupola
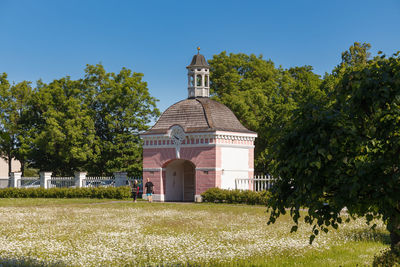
x: 198, y: 115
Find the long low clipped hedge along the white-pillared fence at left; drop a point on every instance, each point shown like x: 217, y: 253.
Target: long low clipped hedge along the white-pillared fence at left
x: 85, y: 192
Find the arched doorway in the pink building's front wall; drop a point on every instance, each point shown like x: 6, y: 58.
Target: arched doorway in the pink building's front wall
x: 180, y: 181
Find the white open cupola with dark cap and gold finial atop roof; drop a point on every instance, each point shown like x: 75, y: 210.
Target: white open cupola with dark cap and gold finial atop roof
x: 198, y: 77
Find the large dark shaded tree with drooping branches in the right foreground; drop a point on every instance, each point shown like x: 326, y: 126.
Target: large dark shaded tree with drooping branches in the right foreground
x: 345, y: 153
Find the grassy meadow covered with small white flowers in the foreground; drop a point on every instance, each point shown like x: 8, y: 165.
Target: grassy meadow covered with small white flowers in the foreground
x: 85, y: 232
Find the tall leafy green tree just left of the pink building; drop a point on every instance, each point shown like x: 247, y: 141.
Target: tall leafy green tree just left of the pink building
x: 121, y: 108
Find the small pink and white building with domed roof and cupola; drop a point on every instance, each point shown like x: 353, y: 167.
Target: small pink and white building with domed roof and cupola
x: 197, y: 144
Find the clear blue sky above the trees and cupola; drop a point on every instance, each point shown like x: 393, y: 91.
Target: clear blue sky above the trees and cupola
x: 52, y: 39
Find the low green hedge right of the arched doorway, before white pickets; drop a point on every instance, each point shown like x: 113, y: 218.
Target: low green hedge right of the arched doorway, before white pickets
x: 217, y: 195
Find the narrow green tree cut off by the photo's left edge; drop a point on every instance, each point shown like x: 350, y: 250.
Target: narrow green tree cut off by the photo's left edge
x: 13, y: 104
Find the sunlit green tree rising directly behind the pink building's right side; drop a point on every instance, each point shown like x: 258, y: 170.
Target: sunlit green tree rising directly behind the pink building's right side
x: 261, y: 96
